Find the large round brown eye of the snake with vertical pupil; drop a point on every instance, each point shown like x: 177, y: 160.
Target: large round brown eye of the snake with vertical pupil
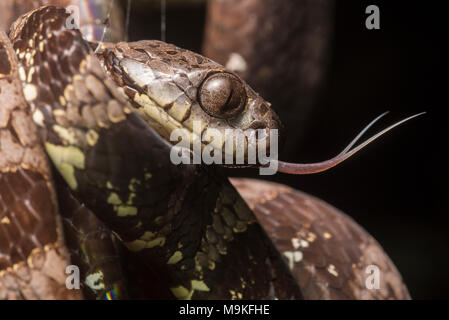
x: 222, y: 95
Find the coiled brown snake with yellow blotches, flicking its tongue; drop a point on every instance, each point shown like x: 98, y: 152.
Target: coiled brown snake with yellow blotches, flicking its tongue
x: 86, y: 180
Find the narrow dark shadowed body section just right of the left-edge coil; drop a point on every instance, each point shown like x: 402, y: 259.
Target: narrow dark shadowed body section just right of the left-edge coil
x: 93, y: 248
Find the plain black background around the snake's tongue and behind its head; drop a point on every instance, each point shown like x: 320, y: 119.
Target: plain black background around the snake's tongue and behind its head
x: 396, y: 188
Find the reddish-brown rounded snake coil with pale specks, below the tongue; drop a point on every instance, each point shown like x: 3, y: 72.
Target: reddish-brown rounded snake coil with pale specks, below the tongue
x: 327, y: 251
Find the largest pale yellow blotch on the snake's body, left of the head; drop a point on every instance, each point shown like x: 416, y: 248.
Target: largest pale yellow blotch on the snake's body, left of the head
x: 66, y: 159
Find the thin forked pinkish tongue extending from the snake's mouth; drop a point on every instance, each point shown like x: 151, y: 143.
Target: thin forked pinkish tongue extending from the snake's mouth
x: 310, y: 168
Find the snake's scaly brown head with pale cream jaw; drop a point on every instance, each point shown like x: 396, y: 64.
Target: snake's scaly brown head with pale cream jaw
x: 181, y: 93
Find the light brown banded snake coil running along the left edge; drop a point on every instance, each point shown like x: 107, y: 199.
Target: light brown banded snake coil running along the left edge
x: 33, y: 258
